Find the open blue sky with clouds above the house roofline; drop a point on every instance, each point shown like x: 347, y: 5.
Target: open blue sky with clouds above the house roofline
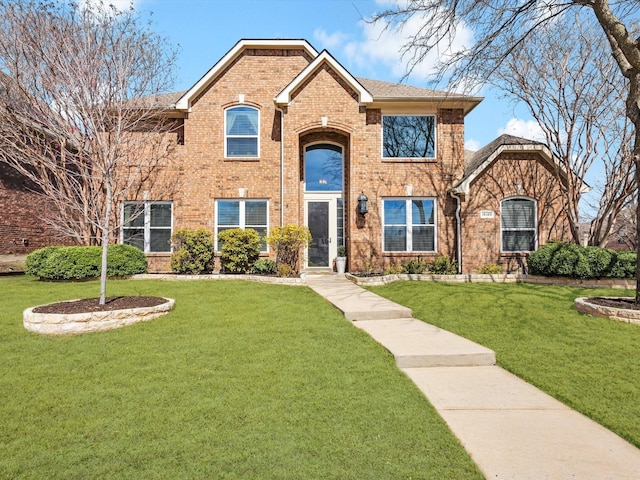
x: 205, y: 30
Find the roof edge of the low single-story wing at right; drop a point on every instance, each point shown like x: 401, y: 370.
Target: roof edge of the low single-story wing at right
x: 477, y: 162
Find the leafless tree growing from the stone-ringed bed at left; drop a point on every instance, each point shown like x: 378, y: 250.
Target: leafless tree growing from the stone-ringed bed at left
x: 78, y: 86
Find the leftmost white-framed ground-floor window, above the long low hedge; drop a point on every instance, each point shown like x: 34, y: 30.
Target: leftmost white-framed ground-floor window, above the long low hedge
x: 148, y: 226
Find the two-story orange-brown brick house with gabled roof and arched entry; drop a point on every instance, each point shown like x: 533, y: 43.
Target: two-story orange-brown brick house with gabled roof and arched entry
x: 278, y: 133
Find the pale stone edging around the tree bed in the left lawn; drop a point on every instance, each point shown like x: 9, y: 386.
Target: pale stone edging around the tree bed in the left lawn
x: 63, y: 324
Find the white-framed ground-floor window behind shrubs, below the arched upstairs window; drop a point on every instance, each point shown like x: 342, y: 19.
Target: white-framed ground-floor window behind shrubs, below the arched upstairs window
x: 243, y: 214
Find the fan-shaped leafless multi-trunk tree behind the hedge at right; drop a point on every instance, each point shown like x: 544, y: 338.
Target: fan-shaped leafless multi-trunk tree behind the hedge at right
x: 576, y: 94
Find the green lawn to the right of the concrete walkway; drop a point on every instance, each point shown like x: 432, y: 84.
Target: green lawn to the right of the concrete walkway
x: 591, y: 364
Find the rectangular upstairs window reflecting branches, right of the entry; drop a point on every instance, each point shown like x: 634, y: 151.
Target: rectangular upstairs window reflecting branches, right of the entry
x: 408, y: 136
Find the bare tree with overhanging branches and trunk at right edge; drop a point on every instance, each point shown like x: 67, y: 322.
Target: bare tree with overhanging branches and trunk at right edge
x: 503, y: 26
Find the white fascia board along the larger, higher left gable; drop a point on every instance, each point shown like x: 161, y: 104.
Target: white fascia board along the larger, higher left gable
x: 184, y: 102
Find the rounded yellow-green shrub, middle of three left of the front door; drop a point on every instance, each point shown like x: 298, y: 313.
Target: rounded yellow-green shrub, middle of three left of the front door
x: 240, y: 249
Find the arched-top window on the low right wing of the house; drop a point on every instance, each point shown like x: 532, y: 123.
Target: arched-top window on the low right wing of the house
x: 518, y: 224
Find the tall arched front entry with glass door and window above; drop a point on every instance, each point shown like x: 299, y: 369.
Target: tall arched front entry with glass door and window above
x: 323, y: 203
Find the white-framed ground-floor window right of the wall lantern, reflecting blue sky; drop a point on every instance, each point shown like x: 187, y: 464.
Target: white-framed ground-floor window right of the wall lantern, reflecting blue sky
x: 409, y: 224
